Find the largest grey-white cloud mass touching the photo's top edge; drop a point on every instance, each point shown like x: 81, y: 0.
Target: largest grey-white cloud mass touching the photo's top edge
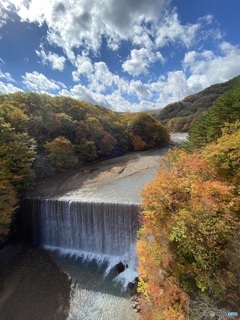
x: 85, y: 22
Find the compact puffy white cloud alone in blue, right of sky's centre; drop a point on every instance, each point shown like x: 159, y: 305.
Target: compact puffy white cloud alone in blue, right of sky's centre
x: 140, y: 60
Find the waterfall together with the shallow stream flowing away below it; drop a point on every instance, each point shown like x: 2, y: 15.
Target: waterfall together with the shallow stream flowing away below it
x: 95, y: 236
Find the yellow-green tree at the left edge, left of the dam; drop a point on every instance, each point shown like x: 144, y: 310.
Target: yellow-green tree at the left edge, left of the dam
x: 17, y: 152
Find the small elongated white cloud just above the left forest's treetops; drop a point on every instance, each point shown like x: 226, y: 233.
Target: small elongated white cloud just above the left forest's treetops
x: 40, y: 83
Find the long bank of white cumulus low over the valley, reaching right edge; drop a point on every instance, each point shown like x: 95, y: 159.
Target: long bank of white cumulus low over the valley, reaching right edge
x: 200, y: 70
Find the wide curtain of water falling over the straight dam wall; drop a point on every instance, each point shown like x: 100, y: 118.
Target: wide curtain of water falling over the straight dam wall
x: 96, y: 229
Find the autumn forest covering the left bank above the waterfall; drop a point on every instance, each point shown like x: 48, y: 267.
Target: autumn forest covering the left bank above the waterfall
x: 43, y: 135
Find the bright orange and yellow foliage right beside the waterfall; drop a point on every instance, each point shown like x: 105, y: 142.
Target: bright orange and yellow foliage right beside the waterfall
x: 189, y: 219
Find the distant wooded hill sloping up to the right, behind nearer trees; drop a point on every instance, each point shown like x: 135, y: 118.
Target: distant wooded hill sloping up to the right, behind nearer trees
x: 181, y: 115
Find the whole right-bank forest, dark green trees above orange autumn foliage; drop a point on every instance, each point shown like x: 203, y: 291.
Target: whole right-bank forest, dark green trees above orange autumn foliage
x: 188, y: 245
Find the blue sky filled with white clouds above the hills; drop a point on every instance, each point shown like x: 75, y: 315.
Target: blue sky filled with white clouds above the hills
x: 126, y: 55
